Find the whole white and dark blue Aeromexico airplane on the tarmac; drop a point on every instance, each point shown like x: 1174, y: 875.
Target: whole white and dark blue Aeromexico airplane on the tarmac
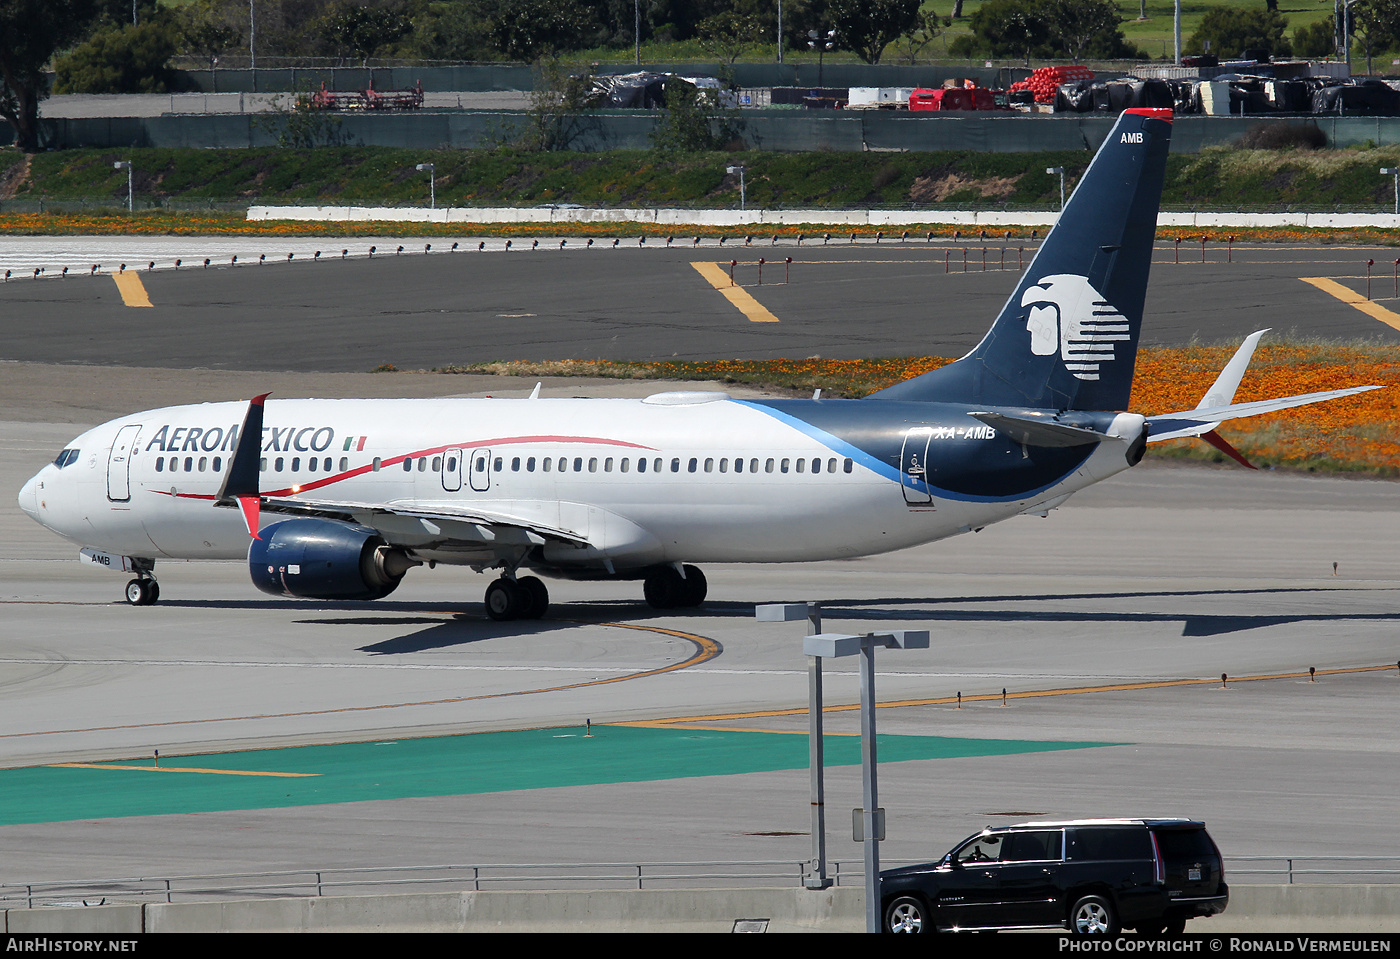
x: 339, y: 499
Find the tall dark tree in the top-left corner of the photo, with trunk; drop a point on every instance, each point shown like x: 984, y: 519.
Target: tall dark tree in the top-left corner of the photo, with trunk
x: 30, y: 34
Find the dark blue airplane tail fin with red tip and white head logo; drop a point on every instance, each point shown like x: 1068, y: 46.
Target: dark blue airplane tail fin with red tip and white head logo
x: 1067, y: 339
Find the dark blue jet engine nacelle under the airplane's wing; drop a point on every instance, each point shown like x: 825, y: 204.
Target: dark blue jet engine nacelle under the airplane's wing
x: 318, y: 559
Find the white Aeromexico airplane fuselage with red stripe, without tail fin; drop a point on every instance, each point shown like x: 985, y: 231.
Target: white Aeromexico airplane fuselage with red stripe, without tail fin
x: 677, y: 478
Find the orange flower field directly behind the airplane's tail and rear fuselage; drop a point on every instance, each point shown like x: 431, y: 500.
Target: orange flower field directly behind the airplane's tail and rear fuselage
x: 1352, y: 435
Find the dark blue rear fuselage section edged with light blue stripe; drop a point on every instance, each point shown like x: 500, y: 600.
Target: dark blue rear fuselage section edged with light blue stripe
x: 873, y: 435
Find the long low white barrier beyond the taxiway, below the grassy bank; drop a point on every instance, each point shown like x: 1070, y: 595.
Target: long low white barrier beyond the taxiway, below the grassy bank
x: 737, y: 219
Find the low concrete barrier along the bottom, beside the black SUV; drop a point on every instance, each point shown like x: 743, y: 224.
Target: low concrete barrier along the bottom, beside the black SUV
x: 1254, y: 909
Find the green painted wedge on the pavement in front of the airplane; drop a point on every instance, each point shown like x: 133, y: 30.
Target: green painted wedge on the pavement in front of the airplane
x: 493, y: 762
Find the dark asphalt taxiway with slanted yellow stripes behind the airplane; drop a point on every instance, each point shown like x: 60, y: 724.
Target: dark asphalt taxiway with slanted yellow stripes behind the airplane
x: 423, y: 311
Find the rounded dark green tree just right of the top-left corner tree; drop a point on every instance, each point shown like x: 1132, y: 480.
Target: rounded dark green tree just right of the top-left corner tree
x: 121, y: 61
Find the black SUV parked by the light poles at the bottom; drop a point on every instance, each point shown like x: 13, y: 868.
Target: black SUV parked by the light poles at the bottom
x: 1093, y: 877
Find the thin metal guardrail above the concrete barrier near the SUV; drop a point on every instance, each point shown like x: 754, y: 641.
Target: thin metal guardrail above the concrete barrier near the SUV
x: 346, y: 881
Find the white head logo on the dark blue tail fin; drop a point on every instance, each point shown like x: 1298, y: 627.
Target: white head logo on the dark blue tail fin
x: 1072, y: 317
